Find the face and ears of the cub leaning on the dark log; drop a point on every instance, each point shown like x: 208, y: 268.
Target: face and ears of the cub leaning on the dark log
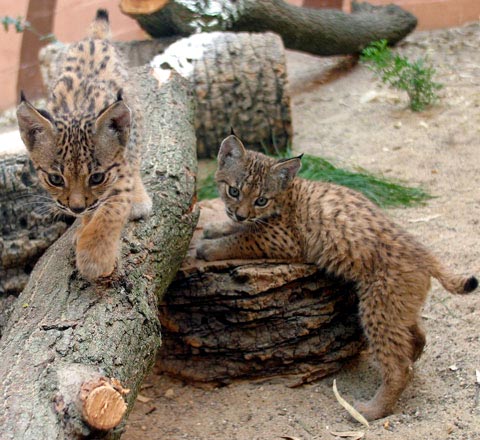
x: 252, y: 191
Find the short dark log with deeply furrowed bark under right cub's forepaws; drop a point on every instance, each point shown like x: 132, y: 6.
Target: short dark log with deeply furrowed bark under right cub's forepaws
x: 225, y: 320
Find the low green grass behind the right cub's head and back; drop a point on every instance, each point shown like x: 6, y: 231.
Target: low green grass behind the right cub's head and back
x: 383, y: 192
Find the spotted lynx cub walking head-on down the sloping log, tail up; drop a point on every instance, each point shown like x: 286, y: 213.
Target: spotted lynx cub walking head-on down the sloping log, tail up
x: 85, y: 147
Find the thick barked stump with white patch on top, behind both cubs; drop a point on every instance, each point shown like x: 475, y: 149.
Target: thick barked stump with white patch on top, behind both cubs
x: 239, y: 81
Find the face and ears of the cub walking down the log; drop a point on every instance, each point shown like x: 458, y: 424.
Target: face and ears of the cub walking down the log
x: 78, y: 161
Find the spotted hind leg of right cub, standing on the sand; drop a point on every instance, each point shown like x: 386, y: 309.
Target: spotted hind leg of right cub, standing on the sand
x: 394, y: 344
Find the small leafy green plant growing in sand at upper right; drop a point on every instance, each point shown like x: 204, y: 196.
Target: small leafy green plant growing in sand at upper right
x: 416, y: 78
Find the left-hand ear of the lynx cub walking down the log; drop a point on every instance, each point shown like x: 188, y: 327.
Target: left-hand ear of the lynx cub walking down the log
x: 36, y: 126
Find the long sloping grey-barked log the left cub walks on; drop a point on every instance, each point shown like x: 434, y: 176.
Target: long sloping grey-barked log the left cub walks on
x: 71, y: 348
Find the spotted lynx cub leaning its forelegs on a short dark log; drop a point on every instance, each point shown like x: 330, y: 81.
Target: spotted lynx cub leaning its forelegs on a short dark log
x: 278, y: 215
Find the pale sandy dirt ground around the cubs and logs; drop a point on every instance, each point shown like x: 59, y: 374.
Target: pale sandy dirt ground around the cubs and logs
x: 355, y: 121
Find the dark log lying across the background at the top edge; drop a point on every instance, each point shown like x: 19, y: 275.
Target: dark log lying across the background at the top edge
x: 318, y: 31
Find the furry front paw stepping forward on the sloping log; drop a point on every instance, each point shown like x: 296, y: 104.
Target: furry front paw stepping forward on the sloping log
x: 96, y: 259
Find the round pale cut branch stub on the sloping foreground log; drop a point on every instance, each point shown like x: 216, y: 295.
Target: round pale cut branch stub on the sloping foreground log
x: 103, y: 406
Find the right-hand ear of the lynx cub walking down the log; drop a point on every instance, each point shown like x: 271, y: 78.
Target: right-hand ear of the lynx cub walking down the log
x: 113, y: 124
